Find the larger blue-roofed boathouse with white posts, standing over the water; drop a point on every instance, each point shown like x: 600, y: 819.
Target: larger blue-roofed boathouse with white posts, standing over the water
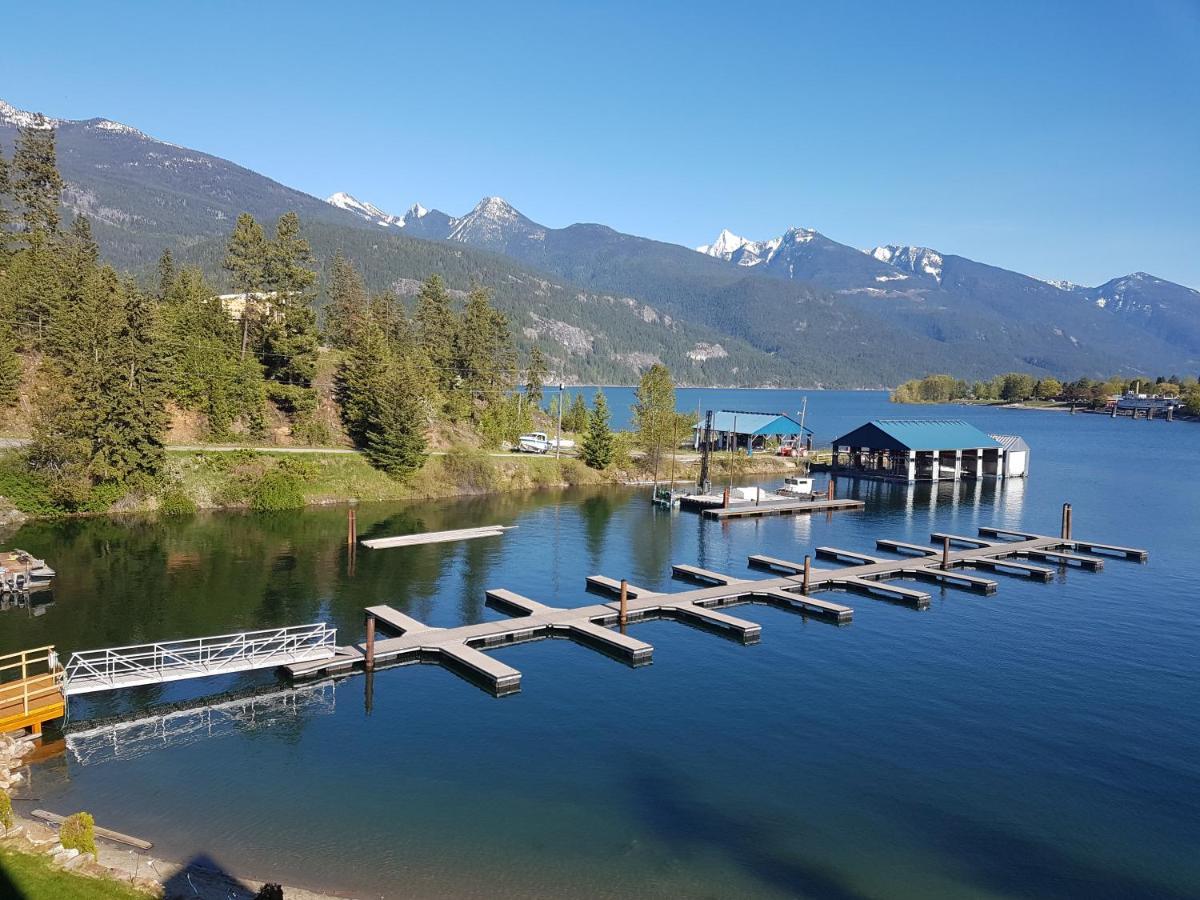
x: 927, y: 451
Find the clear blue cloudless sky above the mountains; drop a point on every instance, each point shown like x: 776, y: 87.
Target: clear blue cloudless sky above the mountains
x: 1058, y: 139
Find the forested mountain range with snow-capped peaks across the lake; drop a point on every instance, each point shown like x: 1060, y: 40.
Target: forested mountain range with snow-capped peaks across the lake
x: 801, y: 309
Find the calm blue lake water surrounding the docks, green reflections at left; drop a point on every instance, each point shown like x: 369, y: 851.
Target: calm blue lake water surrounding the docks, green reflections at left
x: 1040, y: 742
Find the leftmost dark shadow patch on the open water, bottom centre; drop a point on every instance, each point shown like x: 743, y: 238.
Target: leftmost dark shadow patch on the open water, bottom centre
x: 688, y: 824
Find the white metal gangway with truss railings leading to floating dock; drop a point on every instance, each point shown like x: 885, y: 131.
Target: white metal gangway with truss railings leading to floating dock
x: 196, y: 658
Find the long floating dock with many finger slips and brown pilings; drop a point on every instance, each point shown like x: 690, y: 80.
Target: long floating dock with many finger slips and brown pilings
x: 464, y: 649
